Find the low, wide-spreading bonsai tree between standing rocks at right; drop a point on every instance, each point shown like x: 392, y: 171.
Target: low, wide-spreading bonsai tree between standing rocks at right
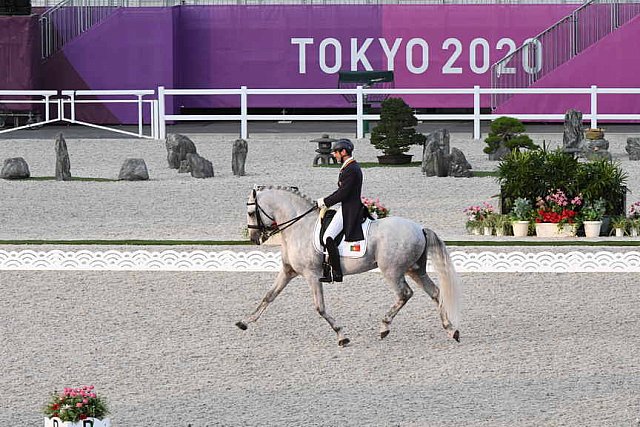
x: 506, y: 135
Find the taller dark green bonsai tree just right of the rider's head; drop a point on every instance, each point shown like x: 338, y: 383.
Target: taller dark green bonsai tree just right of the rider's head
x: 396, y: 131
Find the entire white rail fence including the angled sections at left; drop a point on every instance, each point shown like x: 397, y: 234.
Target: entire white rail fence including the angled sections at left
x: 67, y: 102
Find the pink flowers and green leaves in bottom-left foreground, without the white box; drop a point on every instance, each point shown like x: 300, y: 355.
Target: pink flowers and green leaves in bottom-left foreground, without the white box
x: 75, y: 404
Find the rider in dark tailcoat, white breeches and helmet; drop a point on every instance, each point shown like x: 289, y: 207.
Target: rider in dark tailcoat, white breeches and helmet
x: 349, y: 207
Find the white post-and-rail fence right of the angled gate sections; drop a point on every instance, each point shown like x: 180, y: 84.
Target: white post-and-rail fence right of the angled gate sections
x: 360, y: 117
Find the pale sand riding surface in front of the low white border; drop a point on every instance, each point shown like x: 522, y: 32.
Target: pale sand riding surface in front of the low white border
x: 536, y: 349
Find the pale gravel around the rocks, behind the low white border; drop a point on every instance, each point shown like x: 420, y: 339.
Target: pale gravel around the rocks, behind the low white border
x: 177, y: 206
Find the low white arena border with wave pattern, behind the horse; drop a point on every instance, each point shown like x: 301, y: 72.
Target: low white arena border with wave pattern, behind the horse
x: 259, y: 261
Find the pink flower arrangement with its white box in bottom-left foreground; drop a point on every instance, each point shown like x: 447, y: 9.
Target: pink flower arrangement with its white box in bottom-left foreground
x: 74, y: 406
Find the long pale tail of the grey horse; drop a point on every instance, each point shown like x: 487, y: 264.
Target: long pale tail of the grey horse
x: 449, y: 284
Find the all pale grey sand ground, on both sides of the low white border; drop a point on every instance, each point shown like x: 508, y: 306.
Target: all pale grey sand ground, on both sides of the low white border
x: 536, y: 349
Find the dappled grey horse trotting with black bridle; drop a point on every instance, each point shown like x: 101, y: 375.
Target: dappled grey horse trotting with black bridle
x: 397, y: 246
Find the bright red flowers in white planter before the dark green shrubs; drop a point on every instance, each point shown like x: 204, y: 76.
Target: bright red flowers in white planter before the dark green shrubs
x: 556, y: 214
